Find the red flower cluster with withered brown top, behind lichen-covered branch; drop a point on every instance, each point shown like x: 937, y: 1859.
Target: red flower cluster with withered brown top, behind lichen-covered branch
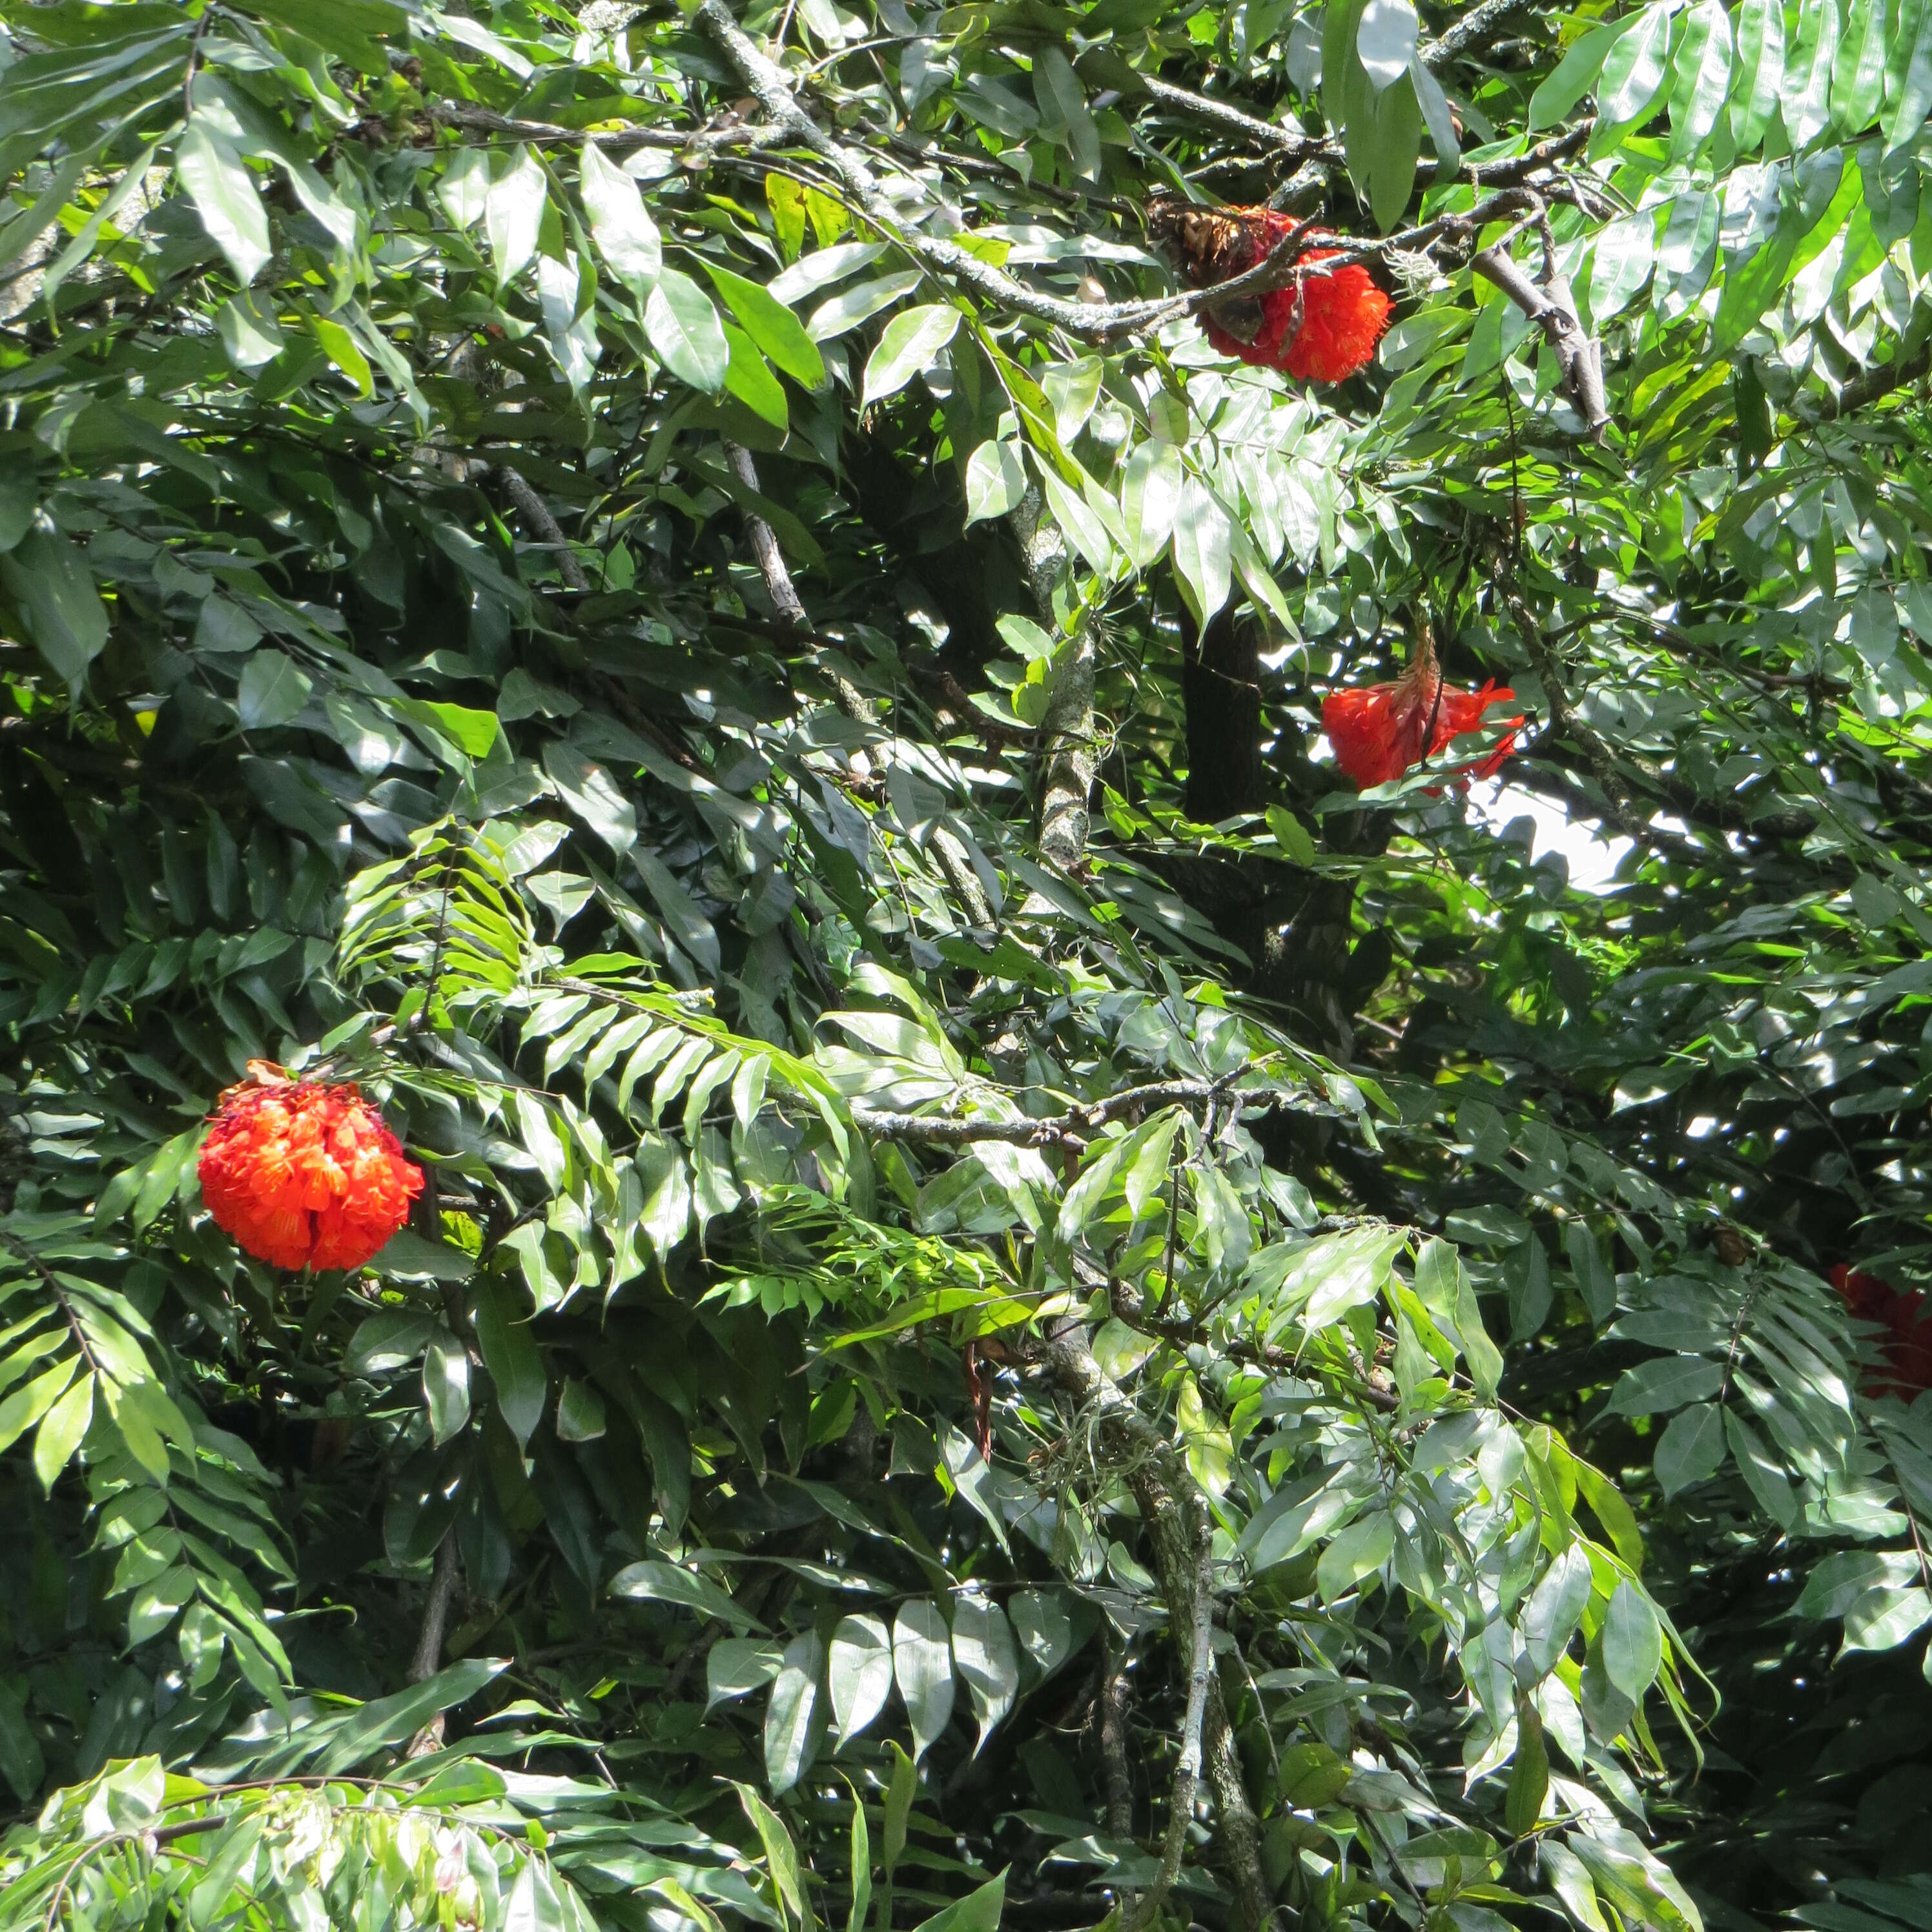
x: 1321, y: 327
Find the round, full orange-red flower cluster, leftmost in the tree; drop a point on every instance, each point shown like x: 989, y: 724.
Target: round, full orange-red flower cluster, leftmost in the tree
x: 304, y: 1176
